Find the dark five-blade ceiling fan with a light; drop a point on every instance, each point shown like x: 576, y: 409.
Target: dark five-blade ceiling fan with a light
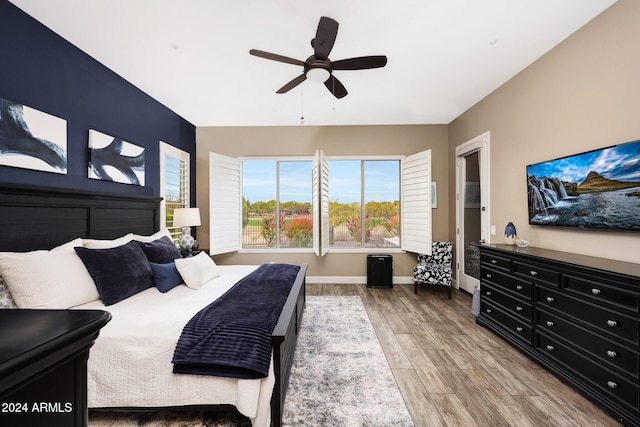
x: 318, y: 67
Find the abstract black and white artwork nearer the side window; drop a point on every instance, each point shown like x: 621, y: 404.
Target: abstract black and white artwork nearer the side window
x: 112, y: 159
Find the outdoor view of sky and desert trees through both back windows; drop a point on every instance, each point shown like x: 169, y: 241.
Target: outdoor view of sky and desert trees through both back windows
x: 363, y: 204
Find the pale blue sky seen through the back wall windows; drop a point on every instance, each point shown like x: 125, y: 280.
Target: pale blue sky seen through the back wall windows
x: 382, y: 180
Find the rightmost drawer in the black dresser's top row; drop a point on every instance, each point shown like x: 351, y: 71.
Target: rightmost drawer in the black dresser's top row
x: 602, y: 291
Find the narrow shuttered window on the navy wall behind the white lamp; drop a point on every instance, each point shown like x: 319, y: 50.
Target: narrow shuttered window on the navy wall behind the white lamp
x: 174, y: 184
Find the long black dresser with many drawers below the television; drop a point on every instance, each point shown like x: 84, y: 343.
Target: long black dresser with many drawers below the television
x: 578, y: 316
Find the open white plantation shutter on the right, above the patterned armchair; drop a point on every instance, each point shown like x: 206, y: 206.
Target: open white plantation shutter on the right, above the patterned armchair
x: 415, y: 206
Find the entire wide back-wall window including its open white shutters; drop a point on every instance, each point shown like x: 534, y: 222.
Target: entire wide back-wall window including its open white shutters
x: 271, y: 204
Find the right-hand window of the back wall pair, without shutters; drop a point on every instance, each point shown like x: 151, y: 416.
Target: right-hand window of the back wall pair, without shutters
x: 364, y: 203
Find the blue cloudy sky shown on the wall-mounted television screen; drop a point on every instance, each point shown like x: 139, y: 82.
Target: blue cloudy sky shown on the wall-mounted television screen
x: 620, y: 162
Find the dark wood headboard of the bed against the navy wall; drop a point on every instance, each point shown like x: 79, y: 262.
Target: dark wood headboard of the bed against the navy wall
x: 34, y: 217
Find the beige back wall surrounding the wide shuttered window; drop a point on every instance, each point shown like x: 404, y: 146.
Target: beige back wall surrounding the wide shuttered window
x: 335, y: 141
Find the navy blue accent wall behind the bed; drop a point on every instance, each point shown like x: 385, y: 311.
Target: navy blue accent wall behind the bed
x: 40, y: 69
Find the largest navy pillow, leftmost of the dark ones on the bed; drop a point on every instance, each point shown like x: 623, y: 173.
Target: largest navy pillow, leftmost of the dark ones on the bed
x: 117, y: 272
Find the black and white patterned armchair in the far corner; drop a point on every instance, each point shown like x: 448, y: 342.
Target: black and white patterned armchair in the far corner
x: 435, y: 269
